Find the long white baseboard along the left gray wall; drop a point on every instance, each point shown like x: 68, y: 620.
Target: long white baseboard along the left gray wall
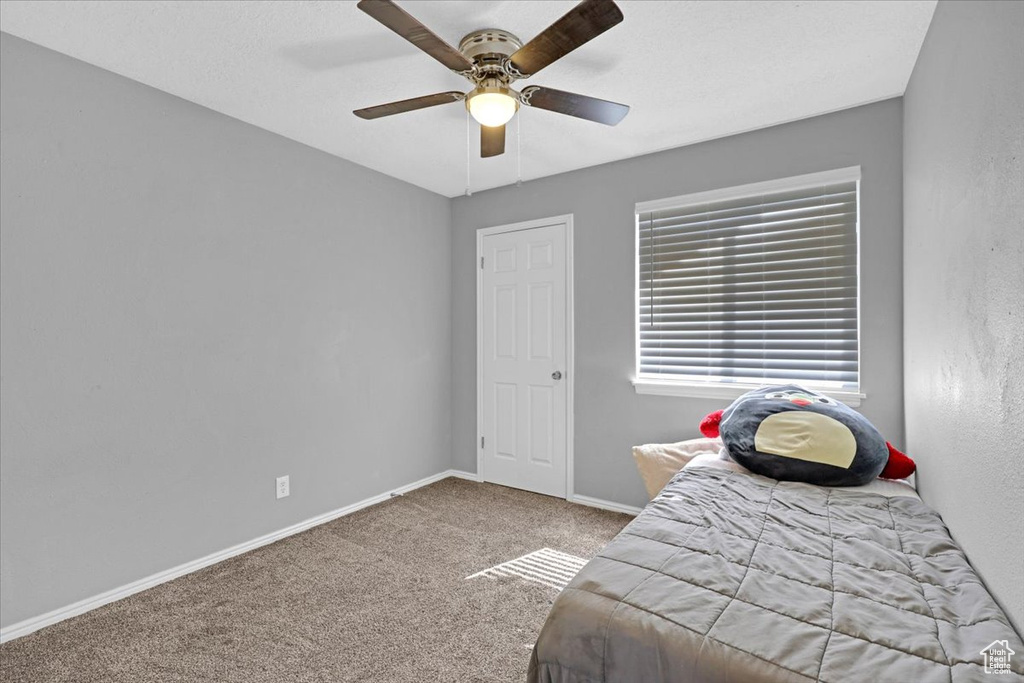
x: 33, y: 624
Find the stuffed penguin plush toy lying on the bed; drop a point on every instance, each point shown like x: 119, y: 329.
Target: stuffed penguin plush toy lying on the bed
x: 795, y: 435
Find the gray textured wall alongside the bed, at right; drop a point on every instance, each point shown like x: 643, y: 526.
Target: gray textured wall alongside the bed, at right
x: 964, y: 284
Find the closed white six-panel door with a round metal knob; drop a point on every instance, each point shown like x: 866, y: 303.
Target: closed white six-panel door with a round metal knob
x: 524, y: 420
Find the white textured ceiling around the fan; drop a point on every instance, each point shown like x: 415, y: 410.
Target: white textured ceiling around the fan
x: 692, y: 71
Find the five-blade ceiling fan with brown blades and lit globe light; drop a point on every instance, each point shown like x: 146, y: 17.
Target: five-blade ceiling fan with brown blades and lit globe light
x: 493, y: 59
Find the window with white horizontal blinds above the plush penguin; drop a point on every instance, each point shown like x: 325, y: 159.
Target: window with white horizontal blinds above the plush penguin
x: 751, y: 286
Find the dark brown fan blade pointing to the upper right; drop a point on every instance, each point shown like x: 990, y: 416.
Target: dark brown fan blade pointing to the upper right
x: 584, y: 23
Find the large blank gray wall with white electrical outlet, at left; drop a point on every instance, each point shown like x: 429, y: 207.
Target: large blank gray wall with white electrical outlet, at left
x: 191, y: 308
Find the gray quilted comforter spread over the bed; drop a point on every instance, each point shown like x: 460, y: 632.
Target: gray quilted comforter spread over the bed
x: 731, y: 577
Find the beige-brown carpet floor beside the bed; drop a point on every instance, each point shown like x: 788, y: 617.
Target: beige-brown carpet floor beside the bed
x: 380, y: 595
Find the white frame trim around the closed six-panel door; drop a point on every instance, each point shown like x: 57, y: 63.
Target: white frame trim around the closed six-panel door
x: 570, y: 373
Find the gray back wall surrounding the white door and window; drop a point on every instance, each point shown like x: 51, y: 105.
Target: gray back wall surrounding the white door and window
x: 610, y: 416
